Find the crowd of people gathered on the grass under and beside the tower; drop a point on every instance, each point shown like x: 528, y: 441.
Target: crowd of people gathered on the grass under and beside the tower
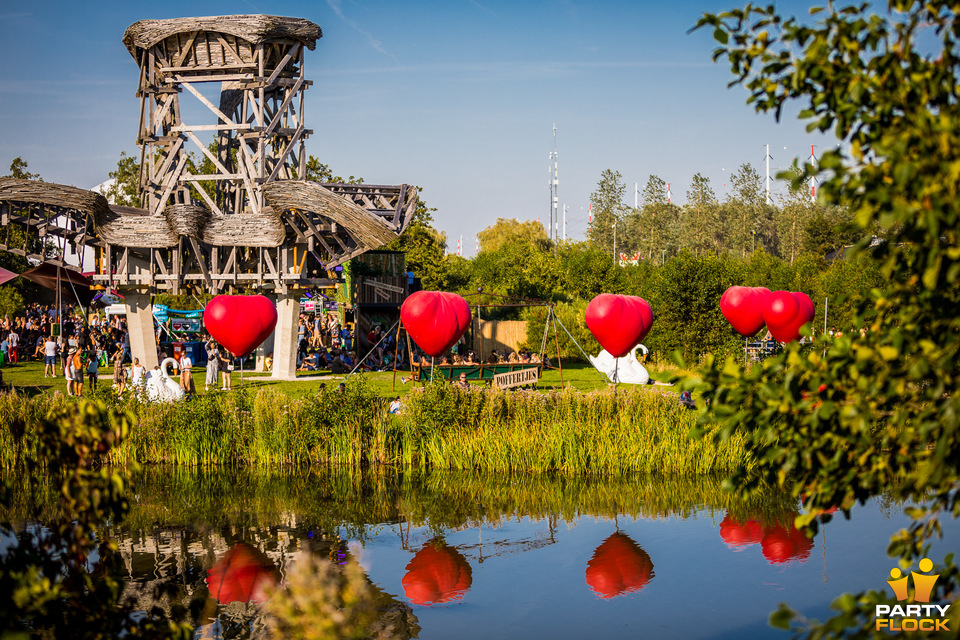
x: 78, y: 349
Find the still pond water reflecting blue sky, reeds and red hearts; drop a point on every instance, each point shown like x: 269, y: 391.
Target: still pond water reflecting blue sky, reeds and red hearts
x: 466, y: 556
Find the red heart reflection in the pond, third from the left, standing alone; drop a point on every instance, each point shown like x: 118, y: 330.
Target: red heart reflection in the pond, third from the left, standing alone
x: 618, y: 566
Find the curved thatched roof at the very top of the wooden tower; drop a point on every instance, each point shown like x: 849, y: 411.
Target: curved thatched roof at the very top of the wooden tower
x: 252, y: 28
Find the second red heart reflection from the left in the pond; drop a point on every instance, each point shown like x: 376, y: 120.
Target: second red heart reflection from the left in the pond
x: 438, y: 573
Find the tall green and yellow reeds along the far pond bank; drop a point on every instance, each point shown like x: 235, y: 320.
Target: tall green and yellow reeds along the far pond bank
x: 440, y: 427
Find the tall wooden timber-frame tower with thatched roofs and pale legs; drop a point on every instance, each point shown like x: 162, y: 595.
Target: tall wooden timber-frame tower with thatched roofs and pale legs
x: 245, y: 217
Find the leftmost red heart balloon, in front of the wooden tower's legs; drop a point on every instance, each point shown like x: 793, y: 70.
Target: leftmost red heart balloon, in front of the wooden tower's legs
x: 240, y: 323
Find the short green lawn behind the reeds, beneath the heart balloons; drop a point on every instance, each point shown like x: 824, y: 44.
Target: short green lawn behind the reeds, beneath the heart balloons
x: 28, y: 377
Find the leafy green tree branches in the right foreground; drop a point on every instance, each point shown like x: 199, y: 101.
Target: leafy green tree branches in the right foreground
x: 856, y: 417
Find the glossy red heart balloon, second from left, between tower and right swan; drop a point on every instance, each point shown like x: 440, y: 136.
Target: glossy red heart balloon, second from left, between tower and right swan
x: 435, y: 320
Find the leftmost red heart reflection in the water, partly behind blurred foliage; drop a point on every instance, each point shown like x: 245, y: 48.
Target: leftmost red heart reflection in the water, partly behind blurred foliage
x: 241, y: 575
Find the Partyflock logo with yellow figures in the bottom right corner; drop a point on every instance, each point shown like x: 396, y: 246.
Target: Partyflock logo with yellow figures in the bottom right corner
x: 913, y: 617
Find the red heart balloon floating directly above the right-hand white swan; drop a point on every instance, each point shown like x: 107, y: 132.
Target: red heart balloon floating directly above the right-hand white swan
x: 617, y: 322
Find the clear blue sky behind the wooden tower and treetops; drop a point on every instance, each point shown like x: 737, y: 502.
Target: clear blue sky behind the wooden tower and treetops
x: 458, y: 97
